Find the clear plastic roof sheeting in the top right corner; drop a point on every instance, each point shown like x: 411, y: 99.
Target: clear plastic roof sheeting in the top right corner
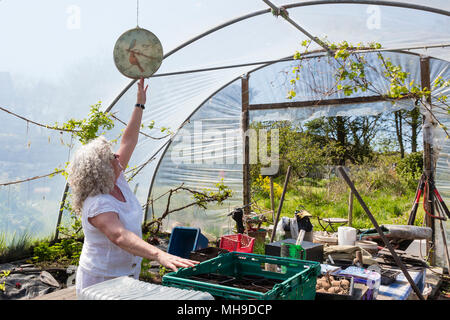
x: 393, y: 27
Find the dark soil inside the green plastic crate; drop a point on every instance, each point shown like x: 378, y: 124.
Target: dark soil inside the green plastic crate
x: 247, y: 282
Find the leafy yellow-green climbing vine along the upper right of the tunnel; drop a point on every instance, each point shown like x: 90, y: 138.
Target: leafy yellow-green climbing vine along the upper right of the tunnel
x: 350, y: 75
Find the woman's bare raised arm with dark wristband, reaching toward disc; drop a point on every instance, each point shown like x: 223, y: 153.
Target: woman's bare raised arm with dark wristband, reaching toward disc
x: 131, y: 133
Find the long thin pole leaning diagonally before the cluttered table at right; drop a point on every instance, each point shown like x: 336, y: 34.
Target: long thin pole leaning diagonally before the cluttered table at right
x: 382, y: 235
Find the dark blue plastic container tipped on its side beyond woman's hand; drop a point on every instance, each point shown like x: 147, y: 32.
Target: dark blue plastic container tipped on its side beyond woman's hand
x: 183, y: 240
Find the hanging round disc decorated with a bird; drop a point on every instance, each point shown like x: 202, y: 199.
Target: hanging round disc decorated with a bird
x: 138, y: 53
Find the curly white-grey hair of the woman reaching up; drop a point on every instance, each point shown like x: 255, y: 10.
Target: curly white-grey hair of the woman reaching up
x: 90, y: 171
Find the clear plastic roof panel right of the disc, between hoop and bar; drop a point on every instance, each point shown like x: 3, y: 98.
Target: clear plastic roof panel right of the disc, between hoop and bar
x: 256, y: 39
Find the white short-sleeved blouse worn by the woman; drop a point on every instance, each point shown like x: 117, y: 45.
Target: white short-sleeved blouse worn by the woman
x: 99, y: 256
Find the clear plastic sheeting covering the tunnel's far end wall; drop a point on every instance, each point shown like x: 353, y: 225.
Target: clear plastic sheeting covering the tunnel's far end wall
x: 200, y: 154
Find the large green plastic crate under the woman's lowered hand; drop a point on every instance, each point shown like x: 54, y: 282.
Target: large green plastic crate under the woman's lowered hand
x: 298, y: 277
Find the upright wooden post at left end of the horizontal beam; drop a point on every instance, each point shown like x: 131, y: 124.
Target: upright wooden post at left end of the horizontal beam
x: 245, y: 147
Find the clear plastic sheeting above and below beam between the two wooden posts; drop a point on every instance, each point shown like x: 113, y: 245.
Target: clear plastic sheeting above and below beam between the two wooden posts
x: 272, y: 84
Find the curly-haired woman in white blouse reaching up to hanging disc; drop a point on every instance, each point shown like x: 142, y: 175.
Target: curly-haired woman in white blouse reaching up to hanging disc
x: 110, y: 213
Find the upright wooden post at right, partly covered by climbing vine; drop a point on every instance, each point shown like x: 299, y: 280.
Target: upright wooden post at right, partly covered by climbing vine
x: 428, y: 168
